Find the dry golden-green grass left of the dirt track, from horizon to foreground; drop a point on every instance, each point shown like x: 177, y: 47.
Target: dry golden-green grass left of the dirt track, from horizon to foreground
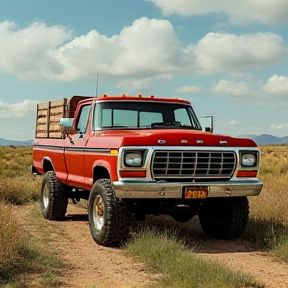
x: 20, y: 254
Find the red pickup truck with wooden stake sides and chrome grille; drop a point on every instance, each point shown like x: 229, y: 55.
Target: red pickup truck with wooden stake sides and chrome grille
x: 137, y: 156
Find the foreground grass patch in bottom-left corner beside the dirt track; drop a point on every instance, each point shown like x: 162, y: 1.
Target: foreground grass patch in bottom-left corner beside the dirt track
x: 21, y: 255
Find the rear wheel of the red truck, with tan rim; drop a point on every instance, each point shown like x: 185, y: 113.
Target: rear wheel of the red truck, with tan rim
x: 54, y: 198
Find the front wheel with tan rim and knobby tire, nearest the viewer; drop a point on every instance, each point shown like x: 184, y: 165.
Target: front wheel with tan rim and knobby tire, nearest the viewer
x: 109, y: 219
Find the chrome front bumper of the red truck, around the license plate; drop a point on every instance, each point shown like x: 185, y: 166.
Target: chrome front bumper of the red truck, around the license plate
x: 146, y: 190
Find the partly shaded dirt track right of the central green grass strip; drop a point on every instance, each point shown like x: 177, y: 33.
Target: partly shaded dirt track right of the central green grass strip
x: 236, y: 254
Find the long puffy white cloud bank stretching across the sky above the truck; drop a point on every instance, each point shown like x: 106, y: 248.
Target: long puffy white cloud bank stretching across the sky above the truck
x: 148, y: 50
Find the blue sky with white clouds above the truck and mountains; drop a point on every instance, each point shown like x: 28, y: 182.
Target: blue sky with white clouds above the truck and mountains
x: 230, y: 61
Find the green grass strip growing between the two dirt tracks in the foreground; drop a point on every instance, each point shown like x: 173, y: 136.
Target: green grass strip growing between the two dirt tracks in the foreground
x: 176, y: 267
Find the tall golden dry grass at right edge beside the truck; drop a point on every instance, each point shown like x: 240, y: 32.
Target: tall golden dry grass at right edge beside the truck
x: 268, y: 224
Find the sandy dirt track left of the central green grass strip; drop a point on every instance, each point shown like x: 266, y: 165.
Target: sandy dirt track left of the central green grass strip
x: 86, y: 264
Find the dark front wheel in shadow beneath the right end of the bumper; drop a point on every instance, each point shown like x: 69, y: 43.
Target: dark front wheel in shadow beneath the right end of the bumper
x: 225, y: 218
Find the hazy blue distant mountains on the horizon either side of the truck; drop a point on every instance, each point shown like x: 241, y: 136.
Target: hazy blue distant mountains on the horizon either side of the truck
x: 264, y: 139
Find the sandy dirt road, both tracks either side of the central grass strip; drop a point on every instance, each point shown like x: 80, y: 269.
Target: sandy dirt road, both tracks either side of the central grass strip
x: 89, y: 265
